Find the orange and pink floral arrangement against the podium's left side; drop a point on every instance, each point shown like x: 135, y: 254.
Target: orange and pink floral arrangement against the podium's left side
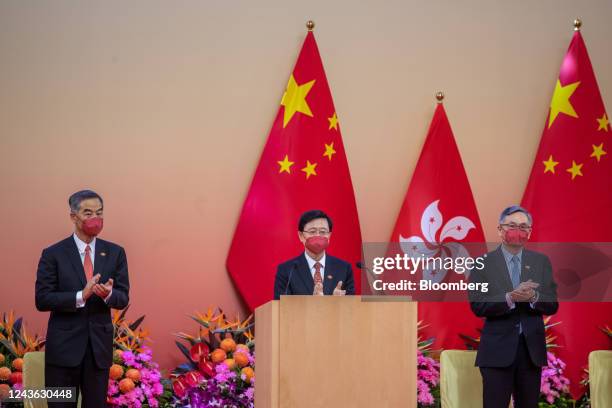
x: 220, y: 367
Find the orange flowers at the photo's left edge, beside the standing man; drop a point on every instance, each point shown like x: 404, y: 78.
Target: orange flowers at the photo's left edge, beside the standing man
x: 14, y: 343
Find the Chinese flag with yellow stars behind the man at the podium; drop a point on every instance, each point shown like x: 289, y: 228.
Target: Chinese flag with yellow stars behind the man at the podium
x: 303, y: 167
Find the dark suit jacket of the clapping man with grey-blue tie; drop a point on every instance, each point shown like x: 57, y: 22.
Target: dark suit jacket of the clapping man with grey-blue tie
x: 500, y: 334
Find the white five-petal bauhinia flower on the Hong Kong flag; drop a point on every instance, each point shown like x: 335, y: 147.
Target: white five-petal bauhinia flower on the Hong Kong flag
x: 437, y: 245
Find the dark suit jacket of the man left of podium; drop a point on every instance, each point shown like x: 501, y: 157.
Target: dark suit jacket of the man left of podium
x: 59, y: 277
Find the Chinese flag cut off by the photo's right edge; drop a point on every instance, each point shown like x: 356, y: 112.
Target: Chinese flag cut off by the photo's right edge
x: 570, y: 197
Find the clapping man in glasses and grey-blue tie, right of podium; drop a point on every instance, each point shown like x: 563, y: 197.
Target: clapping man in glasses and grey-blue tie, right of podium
x: 521, y: 289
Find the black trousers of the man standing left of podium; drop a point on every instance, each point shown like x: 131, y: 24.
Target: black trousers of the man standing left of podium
x: 87, y: 377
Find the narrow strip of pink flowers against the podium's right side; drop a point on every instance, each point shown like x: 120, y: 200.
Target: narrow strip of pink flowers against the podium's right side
x: 428, y: 373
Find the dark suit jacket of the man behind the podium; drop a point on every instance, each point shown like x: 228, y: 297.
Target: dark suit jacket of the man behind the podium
x: 302, y: 283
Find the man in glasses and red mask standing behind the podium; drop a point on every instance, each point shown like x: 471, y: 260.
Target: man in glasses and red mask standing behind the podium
x: 314, y: 272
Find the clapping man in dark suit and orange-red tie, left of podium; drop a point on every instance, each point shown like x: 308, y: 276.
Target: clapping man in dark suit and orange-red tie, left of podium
x: 79, y: 280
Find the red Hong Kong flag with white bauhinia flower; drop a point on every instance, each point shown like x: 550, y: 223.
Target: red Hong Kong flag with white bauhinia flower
x: 439, y: 212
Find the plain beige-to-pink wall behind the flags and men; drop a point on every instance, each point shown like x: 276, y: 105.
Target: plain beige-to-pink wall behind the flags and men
x: 163, y: 107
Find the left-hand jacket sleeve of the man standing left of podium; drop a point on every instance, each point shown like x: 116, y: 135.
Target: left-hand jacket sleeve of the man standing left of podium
x: 47, y: 296
